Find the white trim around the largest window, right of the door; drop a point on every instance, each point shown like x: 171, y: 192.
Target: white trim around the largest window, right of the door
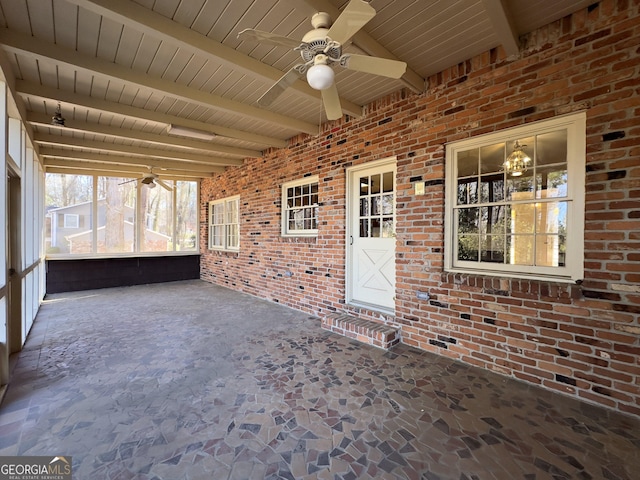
x: 576, y: 158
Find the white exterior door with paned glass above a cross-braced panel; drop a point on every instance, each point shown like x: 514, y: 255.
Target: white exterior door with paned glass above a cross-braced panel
x: 371, y: 206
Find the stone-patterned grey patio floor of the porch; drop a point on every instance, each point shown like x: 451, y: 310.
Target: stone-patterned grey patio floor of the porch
x: 188, y: 380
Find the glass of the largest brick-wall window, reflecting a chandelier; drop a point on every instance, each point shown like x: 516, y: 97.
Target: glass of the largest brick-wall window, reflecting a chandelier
x: 513, y: 220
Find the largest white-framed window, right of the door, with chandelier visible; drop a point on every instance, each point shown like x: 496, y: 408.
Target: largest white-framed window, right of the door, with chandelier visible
x: 509, y: 222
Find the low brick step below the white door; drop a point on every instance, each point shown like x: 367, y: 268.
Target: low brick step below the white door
x: 367, y: 331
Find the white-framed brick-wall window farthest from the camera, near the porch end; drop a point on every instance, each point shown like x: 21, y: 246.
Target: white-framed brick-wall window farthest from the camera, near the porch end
x: 224, y: 224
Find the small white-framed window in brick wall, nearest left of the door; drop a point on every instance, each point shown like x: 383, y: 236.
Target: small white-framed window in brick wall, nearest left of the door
x: 300, y: 207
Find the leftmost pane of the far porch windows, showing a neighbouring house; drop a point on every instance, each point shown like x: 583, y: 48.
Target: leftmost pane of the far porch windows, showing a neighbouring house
x: 68, y: 196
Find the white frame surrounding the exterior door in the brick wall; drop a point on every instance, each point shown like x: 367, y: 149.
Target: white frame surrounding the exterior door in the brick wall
x: 352, y: 229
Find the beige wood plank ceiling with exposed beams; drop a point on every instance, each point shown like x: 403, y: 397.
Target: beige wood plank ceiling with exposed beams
x: 122, y: 71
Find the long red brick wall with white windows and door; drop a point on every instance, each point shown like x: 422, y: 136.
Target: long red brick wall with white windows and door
x: 583, y: 340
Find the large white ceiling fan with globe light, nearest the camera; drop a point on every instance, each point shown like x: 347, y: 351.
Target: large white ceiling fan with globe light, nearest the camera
x: 321, y: 48
